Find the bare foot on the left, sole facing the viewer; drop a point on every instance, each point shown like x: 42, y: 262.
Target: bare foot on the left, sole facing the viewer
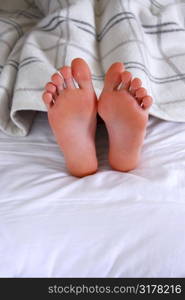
x: 72, y: 116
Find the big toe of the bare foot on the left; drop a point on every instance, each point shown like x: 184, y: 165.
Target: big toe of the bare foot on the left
x: 81, y: 73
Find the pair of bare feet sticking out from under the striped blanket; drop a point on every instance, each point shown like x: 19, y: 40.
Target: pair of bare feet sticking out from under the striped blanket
x: 72, y: 114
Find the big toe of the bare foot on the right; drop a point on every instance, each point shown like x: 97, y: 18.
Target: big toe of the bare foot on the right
x: 113, y: 76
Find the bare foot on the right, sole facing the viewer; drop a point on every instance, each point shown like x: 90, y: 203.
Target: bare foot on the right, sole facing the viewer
x: 125, y: 112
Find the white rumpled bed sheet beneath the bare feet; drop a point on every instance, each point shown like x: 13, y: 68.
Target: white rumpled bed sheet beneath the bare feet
x: 109, y: 224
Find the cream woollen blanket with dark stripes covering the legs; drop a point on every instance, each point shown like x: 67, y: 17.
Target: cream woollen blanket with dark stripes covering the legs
x: 39, y: 36
